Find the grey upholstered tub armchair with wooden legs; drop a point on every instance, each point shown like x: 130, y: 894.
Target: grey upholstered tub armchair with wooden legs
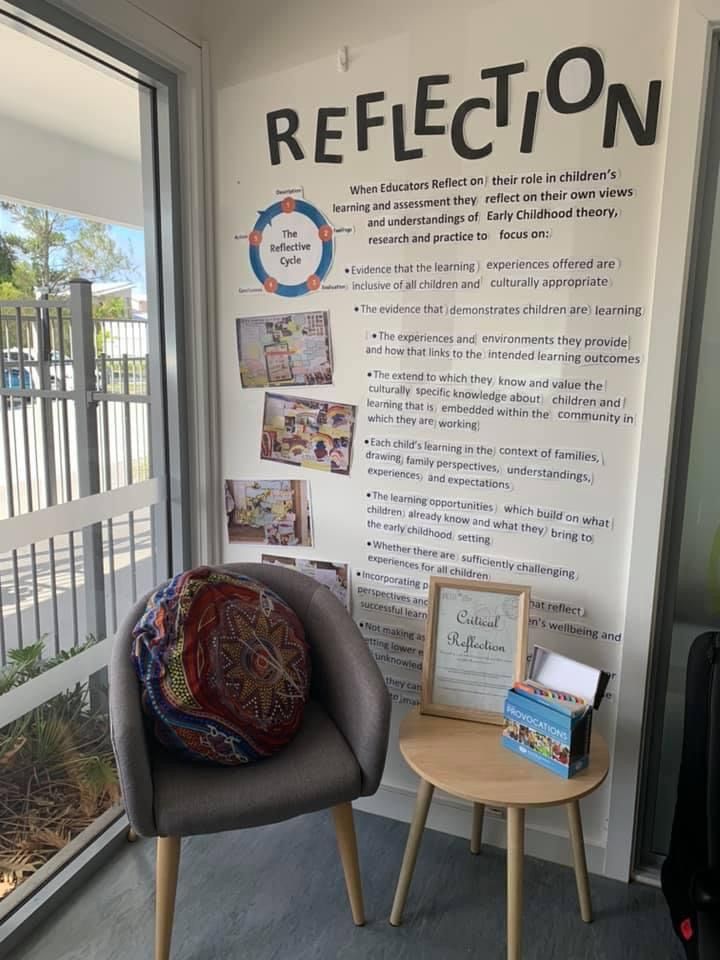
x: 337, y: 756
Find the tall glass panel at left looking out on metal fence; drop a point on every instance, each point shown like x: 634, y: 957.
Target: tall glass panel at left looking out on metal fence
x: 90, y: 487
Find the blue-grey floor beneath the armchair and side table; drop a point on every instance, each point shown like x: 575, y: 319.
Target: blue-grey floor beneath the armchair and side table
x: 277, y: 893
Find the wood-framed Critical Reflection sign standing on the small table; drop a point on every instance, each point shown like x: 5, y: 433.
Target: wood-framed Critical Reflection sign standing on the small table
x: 475, y: 648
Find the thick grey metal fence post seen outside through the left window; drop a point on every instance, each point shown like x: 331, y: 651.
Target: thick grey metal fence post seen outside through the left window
x: 88, y: 460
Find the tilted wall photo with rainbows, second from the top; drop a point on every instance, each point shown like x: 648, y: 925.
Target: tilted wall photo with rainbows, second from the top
x: 308, y: 433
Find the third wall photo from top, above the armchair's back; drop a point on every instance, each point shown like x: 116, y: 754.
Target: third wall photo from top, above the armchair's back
x: 275, y: 512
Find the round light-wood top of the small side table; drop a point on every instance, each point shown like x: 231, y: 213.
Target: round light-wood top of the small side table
x: 468, y: 760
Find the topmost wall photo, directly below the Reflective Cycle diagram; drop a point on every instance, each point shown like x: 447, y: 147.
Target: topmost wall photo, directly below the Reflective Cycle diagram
x: 292, y: 349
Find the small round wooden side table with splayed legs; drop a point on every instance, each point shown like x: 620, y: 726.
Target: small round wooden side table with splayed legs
x: 468, y: 760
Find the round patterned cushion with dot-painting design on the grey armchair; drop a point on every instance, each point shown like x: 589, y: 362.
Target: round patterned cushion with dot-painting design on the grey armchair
x: 223, y: 665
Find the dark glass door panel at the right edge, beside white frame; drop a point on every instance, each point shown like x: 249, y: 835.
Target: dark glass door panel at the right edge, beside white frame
x: 689, y: 597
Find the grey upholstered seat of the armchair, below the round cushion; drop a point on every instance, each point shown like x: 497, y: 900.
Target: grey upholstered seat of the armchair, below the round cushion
x: 315, y: 771
